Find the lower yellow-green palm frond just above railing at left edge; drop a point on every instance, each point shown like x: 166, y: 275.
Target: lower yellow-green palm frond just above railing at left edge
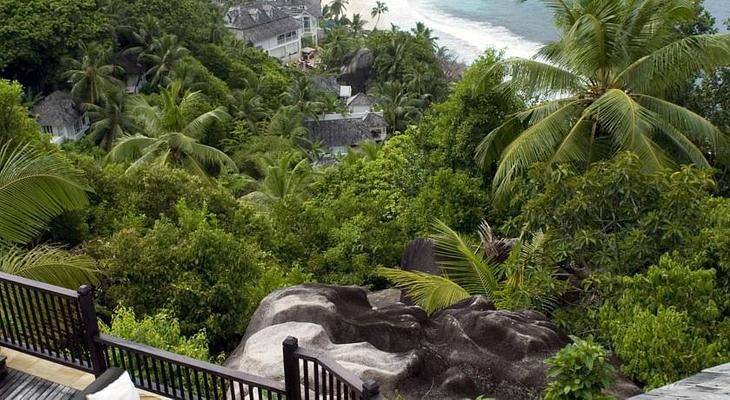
x: 51, y: 265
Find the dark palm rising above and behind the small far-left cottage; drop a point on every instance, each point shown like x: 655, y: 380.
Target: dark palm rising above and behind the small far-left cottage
x: 90, y: 76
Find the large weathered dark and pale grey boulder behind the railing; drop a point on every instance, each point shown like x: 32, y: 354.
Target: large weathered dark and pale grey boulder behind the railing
x: 464, y: 351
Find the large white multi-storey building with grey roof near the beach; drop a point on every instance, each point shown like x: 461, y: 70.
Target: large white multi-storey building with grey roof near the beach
x: 267, y: 27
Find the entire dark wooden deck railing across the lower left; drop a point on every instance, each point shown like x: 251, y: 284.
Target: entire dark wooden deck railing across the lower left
x: 60, y: 325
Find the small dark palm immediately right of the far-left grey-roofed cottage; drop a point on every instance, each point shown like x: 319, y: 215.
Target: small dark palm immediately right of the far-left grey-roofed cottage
x: 109, y: 121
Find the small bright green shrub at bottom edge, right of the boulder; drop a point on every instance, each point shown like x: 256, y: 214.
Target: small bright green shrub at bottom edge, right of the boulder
x: 580, y: 371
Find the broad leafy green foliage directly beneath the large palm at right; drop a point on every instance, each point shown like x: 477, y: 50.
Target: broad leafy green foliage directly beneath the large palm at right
x: 615, y: 217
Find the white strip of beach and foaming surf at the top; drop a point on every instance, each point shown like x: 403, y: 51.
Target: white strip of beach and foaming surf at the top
x: 466, y: 38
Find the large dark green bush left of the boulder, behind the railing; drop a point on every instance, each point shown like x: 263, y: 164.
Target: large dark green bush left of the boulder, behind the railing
x: 205, y: 276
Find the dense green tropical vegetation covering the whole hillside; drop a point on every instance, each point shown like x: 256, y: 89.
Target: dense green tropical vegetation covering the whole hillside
x: 191, y: 201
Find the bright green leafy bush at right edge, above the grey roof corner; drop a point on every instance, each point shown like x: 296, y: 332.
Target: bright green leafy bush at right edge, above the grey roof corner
x: 668, y: 323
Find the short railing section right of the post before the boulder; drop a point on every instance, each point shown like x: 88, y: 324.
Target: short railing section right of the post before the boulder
x: 311, y: 375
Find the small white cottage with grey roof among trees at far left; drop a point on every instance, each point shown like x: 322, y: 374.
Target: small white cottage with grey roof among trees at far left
x: 58, y: 115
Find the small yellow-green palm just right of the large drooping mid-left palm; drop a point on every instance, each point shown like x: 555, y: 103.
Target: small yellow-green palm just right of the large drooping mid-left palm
x: 285, y: 179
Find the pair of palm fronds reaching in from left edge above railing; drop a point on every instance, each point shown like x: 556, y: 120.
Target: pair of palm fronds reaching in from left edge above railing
x: 36, y: 186
